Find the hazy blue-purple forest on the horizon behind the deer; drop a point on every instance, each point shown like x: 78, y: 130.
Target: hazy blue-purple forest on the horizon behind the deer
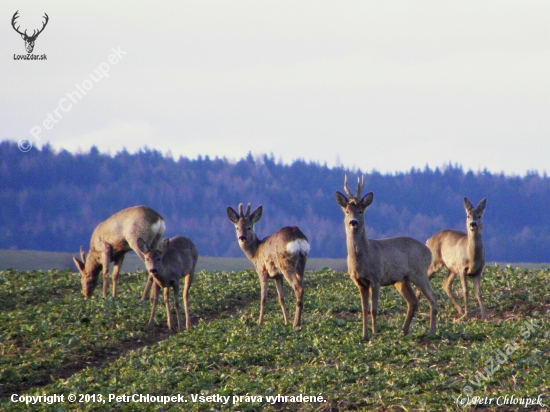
x: 52, y: 201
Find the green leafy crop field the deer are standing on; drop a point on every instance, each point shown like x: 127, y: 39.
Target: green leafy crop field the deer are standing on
x: 53, y: 342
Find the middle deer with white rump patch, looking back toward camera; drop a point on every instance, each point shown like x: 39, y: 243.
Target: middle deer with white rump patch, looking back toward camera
x: 284, y: 253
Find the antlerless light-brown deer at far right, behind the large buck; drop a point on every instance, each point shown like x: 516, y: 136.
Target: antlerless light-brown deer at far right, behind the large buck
x: 463, y: 254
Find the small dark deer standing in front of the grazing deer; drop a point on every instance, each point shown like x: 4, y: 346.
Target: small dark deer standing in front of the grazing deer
x: 174, y: 259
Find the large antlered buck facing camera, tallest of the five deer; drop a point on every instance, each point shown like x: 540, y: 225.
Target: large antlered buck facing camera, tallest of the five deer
x: 395, y: 261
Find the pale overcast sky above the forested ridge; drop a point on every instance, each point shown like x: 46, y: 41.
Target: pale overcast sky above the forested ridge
x: 383, y: 86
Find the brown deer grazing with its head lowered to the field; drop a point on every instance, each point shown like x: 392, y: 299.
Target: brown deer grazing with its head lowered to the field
x: 112, y: 239
